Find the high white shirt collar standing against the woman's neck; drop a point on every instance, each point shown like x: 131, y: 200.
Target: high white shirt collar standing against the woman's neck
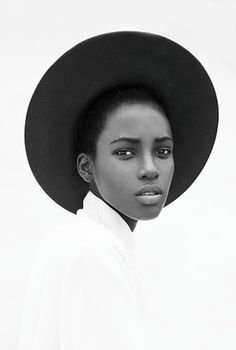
x: 102, y: 213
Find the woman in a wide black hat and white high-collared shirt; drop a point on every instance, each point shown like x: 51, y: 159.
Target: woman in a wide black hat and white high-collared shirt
x: 114, y: 127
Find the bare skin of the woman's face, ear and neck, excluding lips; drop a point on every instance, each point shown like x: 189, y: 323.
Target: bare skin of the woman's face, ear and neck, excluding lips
x: 122, y: 168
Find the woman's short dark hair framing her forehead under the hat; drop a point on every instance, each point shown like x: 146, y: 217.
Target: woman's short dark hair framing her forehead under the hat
x: 94, y: 119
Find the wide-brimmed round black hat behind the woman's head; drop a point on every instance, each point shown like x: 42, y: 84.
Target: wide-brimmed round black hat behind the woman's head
x: 99, y: 64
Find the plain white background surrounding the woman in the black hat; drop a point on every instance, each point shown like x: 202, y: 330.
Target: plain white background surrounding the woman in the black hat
x: 187, y: 255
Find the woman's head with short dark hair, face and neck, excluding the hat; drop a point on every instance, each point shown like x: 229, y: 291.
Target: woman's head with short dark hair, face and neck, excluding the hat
x: 131, y: 125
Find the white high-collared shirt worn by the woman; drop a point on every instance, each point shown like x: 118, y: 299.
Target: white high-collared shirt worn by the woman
x: 84, y: 291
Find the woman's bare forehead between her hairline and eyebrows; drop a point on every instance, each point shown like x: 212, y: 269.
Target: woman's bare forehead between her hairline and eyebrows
x: 137, y: 120
